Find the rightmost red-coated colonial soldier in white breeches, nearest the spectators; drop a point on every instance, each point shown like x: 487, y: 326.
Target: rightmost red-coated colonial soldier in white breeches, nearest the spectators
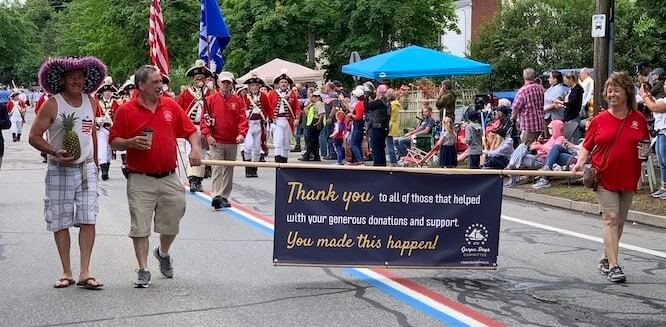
x: 285, y: 111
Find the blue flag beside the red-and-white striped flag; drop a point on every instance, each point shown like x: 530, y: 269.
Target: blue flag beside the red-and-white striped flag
x: 213, y: 35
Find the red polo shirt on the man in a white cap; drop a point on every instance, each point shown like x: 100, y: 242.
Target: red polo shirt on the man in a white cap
x: 227, y: 115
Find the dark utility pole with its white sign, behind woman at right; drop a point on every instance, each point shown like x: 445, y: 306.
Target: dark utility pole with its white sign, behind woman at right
x: 603, y: 36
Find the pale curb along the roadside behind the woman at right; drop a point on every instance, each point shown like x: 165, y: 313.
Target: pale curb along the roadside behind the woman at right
x: 583, y: 207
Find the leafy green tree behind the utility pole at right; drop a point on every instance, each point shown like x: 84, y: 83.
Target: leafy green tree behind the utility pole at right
x: 554, y: 34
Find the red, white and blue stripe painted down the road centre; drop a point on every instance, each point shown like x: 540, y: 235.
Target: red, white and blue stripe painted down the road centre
x: 436, y: 305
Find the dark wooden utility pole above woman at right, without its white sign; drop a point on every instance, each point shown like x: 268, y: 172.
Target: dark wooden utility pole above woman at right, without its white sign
x: 601, y: 46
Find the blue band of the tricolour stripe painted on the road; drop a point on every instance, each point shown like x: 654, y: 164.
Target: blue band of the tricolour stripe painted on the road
x: 405, y: 298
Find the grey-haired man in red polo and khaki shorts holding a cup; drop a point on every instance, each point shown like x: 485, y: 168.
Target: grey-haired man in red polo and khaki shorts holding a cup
x: 147, y: 127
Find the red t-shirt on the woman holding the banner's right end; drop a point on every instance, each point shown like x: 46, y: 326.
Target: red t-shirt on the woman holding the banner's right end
x: 621, y: 168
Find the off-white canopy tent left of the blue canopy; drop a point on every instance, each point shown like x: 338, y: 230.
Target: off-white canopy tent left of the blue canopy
x: 273, y: 68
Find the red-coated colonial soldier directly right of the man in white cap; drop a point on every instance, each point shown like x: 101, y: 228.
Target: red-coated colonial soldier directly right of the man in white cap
x: 257, y: 109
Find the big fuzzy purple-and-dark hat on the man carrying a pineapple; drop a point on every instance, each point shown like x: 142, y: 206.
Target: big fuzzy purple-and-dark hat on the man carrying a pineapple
x: 53, y: 71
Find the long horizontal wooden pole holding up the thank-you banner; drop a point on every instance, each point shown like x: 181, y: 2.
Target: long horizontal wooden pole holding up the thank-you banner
x: 442, y: 171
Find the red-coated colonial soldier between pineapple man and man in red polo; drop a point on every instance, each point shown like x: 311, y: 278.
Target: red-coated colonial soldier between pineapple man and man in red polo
x: 104, y: 121
